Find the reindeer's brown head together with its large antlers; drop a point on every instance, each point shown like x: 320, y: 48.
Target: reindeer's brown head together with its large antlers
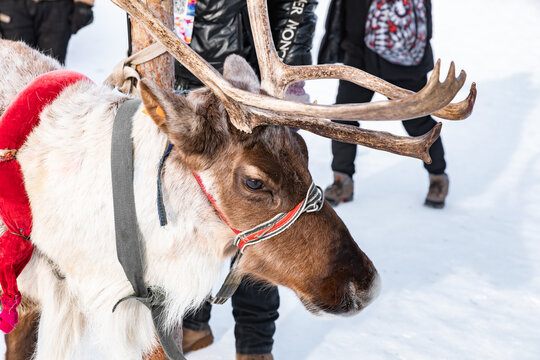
x: 235, y: 130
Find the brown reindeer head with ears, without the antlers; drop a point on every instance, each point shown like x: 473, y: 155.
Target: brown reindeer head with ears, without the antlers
x: 256, y: 176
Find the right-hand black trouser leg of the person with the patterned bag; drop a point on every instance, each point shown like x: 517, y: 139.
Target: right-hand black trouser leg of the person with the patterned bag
x: 420, y: 126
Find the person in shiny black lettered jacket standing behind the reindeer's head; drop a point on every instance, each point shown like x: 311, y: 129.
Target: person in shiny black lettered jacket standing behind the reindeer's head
x: 221, y: 28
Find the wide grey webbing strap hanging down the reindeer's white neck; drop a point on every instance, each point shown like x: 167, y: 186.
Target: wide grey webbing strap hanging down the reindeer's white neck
x: 128, y: 246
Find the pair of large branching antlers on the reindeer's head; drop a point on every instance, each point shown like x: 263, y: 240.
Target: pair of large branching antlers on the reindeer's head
x: 247, y: 110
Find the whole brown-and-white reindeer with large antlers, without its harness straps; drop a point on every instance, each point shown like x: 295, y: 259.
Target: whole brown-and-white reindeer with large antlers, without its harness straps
x: 234, y: 134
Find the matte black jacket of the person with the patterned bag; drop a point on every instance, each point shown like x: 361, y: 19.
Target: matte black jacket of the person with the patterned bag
x: 344, y: 42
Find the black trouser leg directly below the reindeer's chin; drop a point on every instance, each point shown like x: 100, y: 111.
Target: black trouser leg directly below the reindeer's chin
x: 255, y: 310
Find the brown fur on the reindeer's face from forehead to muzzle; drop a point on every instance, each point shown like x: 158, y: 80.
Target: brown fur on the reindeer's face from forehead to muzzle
x: 318, y: 252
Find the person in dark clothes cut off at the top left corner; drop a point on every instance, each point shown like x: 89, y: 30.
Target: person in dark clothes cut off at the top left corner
x: 46, y: 25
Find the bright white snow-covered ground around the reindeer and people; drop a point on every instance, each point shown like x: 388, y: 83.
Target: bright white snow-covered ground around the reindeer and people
x: 458, y: 283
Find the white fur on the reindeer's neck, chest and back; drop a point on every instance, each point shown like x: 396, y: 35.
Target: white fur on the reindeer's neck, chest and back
x: 66, y: 166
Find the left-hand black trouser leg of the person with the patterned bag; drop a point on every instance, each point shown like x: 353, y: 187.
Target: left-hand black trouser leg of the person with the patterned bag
x: 345, y: 153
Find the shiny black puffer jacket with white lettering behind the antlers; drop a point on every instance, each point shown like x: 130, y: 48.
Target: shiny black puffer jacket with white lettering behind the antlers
x: 221, y: 28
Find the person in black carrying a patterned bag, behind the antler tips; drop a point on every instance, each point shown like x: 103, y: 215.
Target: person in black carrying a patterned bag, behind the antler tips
x: 345, y: 42
